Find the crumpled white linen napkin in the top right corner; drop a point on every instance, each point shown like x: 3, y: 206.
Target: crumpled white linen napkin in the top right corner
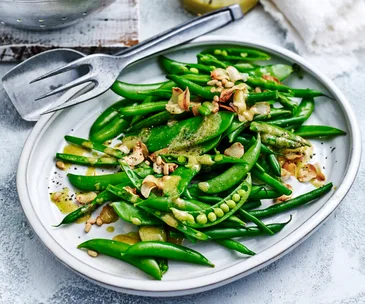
x: 334, y: 28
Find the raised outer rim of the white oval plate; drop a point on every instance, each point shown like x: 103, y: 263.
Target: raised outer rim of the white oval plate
x: 271, y: 254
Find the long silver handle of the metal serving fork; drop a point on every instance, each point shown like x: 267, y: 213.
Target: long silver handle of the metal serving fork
x: 183, y: 33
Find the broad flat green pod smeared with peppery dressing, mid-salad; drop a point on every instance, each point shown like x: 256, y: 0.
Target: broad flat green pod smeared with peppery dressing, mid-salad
x: 186, y: 133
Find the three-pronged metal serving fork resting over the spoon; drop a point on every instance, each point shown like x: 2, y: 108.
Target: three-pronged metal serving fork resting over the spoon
x: 104, y: 69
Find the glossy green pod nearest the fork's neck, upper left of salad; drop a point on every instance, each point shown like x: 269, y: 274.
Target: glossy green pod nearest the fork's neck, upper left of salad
x: 133, y: 91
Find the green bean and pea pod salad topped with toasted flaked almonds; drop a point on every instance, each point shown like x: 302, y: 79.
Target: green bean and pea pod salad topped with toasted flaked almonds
x: 196, y: 155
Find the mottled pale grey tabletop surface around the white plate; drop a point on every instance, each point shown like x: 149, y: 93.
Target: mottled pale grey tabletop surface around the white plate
x: 327, y: 268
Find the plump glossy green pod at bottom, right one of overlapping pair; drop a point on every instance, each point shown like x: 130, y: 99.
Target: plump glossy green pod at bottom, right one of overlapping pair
x: 168, y: 251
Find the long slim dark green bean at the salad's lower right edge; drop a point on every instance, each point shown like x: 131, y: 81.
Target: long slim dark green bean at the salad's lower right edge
x: 293, y: 203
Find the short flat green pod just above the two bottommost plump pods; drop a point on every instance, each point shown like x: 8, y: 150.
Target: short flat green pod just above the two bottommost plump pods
x: 134, y: 215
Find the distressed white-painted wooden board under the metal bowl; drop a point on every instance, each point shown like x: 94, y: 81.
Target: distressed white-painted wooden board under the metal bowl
x: 110, y: 30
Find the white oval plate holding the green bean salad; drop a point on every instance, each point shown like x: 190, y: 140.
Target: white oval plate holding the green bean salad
x: 36, y: 173
